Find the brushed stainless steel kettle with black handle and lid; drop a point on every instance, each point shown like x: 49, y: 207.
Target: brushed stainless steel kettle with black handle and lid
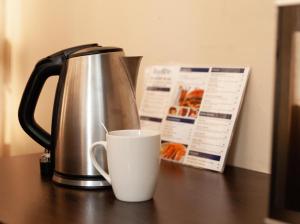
x: 96, y: 84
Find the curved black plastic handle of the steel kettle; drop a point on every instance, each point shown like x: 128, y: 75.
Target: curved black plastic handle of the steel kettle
x: 42, y: 71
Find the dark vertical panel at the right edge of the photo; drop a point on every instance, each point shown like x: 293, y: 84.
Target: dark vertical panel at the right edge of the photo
x: 286, y: 124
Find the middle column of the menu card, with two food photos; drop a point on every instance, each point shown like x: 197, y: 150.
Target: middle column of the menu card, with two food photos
x: 182, y: 112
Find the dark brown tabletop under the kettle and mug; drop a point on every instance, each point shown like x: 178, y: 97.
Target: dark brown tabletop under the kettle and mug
x: 184, y: 195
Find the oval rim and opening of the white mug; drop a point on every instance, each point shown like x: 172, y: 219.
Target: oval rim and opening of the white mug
x: 142, y: 133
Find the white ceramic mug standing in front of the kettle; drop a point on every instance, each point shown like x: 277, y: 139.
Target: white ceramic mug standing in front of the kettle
x: 133, y: 163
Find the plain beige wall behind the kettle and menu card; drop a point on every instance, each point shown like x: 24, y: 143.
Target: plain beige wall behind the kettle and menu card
x: 199, y: 32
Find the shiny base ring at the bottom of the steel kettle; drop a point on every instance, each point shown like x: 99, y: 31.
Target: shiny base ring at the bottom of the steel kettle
x: 80, y: 182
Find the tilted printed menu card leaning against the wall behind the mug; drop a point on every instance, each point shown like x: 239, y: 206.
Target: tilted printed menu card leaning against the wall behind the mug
x: 195, y: 109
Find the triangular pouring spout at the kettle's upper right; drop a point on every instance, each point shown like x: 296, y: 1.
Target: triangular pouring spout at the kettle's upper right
x: 132, y: 65
